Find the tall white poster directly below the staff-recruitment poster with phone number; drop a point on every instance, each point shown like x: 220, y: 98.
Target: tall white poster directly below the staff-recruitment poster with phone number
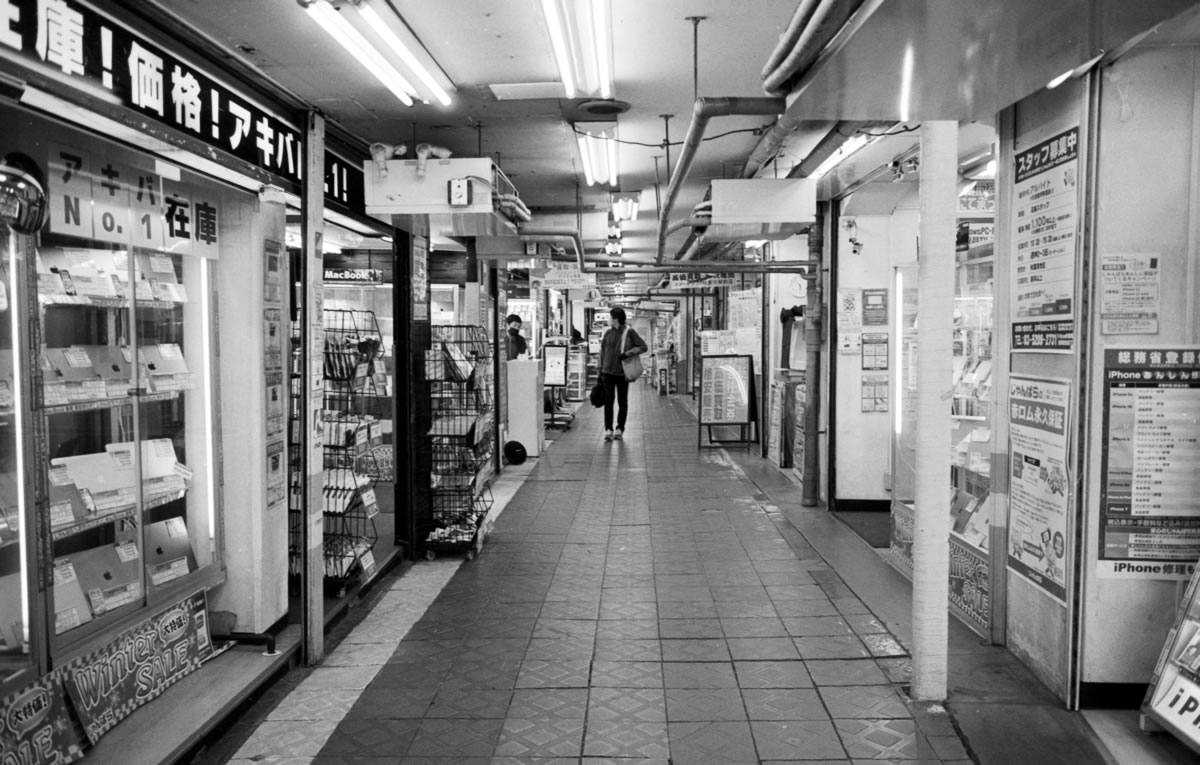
x: 1039, y: 419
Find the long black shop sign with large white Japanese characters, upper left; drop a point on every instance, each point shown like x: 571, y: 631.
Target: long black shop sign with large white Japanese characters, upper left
x: 79, y: 44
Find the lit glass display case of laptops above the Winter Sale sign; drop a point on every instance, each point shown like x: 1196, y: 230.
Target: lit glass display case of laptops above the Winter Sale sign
x: 122, y: 397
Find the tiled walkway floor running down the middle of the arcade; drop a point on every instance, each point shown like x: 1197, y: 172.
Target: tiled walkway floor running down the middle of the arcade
x: 634, y: 605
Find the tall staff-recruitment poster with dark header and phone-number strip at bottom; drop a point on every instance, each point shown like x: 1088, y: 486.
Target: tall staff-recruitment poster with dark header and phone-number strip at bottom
x: 1043, y: 273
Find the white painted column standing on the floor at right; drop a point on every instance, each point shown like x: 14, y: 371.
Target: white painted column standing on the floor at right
x: 935, y: 323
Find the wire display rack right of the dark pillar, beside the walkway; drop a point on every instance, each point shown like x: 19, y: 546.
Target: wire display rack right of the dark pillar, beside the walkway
x: 459, y: 370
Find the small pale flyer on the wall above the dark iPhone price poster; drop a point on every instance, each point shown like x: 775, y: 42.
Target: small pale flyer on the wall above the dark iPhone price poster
x: 1130, y: 294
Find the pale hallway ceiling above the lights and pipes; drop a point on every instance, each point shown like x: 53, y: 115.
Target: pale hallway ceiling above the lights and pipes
x: 973, y: 58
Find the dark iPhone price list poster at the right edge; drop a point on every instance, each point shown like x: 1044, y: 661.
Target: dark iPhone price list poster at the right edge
x: 1150, y: 521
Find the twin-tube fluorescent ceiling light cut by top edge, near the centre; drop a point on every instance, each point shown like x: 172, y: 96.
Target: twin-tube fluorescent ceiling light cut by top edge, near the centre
x: 581, y: 35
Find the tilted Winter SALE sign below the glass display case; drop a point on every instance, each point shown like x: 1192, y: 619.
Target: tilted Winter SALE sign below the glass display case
x: 113, y: 682
